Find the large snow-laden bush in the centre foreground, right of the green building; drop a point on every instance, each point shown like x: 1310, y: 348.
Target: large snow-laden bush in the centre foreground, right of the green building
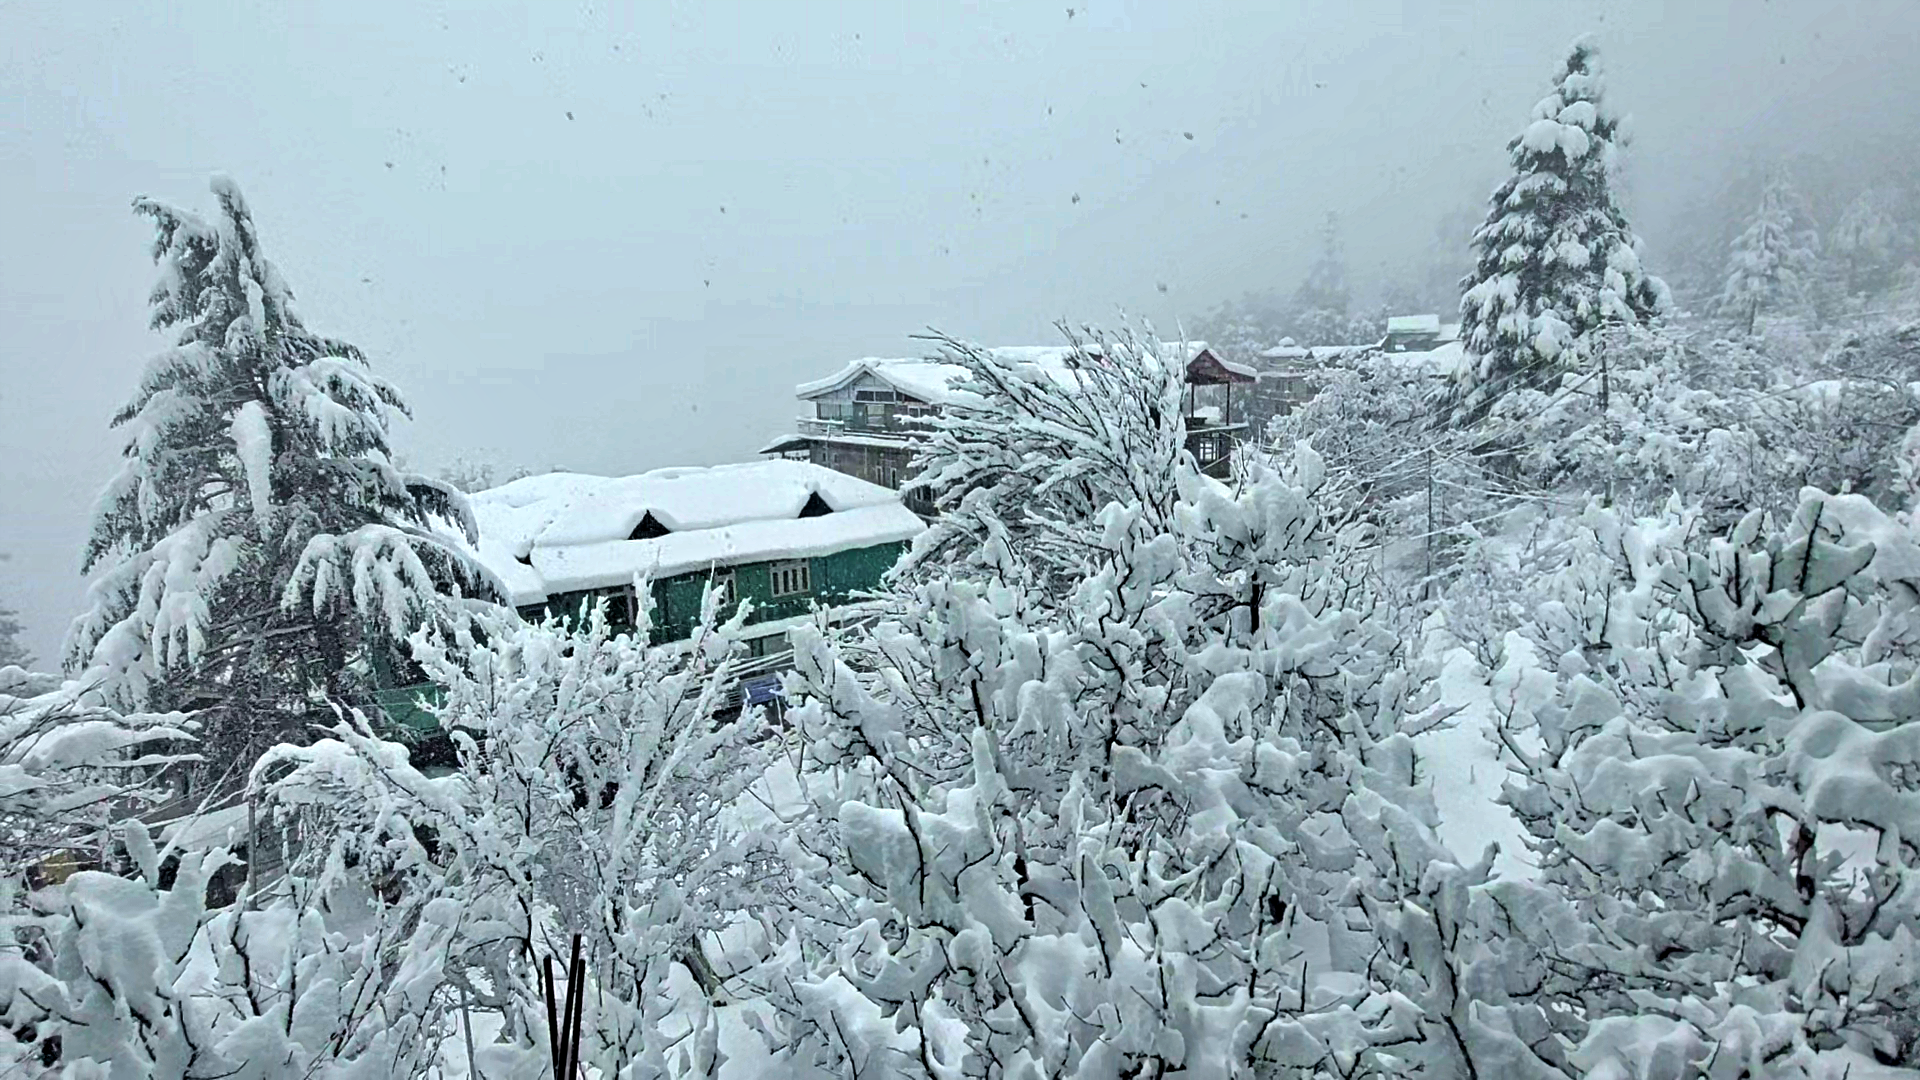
x: 1099, y: 831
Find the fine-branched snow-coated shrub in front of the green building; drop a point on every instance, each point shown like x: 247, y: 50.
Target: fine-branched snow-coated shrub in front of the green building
x: 592, y: 773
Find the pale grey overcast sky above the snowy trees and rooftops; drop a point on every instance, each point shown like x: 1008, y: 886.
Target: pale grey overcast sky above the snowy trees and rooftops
x: 613, y: 237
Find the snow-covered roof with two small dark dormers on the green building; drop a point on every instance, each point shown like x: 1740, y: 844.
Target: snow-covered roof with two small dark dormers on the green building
x: 569, y: 531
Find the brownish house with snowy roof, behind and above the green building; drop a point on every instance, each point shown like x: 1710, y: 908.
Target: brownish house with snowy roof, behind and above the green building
x: 869, y: 418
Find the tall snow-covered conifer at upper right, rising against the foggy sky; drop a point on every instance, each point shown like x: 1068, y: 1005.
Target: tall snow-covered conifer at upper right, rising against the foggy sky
x: 1556, y: 257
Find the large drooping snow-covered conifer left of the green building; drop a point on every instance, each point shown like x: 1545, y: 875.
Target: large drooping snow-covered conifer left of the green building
x: 258, y: 539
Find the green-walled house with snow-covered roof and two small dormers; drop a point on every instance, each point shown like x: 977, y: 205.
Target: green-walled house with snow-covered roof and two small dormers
x: 784, y: 535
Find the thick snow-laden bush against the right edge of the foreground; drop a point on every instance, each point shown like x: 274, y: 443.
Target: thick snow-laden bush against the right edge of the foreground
x: 1721, y: 791
